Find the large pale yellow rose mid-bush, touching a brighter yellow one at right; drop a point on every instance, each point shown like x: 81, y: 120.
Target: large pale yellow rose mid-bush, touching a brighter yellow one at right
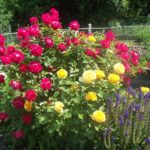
x: 89, y: 76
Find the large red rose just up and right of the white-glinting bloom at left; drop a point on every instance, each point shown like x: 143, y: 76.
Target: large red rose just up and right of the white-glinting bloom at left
x: 36, y: 50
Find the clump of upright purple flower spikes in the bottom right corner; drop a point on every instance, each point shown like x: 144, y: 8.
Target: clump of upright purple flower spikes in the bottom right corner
x: 128, y: 125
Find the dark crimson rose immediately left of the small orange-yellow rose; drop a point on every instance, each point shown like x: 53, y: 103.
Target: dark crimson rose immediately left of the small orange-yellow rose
x: 18, y: 102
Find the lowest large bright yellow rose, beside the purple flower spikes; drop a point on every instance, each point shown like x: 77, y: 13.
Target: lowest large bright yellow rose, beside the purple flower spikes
x: 98, y: 116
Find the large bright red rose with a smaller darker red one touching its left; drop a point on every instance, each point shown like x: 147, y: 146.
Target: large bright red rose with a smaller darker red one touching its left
x: 35, y: 67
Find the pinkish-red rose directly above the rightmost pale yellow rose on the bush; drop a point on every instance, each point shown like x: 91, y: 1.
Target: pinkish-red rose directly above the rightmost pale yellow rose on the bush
x: 121, y: 48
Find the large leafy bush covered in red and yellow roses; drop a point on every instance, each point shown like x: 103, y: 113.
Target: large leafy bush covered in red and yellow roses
x: 58, y: 83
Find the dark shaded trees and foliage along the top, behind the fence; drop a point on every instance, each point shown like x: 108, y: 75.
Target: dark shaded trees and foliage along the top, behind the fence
x: 98, y: 12
